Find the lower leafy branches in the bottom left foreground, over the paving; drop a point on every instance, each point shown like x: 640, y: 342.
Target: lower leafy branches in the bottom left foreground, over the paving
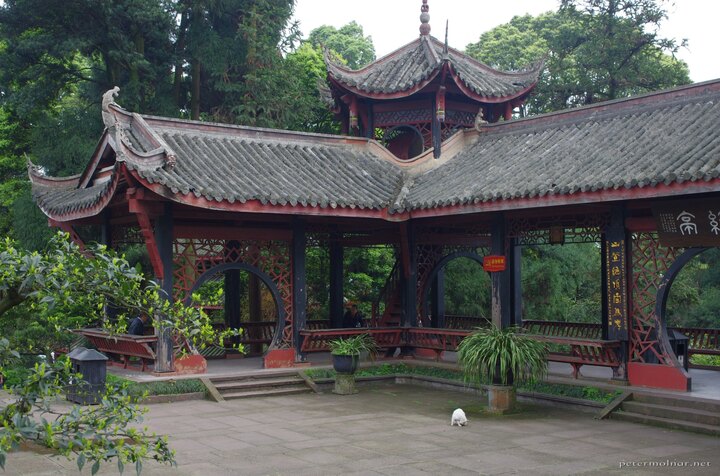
x: 96, y: 434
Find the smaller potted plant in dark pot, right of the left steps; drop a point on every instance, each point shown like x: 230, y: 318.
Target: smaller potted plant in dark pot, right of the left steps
x: 346, y: 354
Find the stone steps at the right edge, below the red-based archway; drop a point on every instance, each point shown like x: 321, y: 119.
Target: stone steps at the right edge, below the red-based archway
x: 699, y: 416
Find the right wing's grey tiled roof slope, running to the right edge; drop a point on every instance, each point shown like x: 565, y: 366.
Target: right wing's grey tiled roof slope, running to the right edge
x: 624, y: 145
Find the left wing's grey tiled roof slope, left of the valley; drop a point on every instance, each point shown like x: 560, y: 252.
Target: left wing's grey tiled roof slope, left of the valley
x: 240, y: 164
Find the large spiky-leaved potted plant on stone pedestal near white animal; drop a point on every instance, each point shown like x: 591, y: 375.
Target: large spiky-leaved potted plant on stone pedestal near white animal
x: 502, y: 357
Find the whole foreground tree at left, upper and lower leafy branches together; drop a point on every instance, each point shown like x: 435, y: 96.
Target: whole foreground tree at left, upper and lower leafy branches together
x: 65, y: 286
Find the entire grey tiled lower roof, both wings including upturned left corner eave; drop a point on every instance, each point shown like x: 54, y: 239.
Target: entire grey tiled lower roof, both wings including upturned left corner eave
x: 661, y: 138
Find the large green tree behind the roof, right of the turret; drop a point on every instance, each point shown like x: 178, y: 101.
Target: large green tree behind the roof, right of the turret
x: 594, y: 50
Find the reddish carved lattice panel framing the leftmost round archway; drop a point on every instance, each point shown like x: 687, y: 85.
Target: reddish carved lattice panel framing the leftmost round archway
x: 193, y: 257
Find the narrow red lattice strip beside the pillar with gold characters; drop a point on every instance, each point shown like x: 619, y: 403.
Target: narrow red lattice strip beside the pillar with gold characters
x: 650, y: 261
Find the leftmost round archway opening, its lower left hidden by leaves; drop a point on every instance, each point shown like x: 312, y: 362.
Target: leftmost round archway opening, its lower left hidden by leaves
x: 232, y: 290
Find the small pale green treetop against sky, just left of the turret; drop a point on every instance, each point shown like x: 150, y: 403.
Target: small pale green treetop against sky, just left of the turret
x: 348, y: 42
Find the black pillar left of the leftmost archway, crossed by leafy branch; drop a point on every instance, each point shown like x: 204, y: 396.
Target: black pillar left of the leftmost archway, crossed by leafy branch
x: 164, y: 361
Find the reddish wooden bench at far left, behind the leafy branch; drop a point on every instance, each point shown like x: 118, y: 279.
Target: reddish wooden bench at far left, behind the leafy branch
x: 122, y: 347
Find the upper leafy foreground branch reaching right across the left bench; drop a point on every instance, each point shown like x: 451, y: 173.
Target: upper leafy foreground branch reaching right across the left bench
x: 93, y: 280
